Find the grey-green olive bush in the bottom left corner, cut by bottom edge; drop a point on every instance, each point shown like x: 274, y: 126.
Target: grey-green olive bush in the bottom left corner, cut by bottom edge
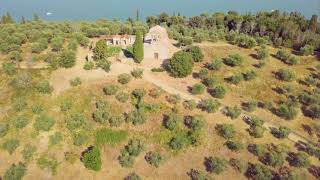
x: 15, y: 172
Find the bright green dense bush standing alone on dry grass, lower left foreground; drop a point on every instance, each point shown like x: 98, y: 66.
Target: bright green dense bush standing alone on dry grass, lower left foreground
x: 91, y: 158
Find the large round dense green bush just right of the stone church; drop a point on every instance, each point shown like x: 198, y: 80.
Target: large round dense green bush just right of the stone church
x: 181, y: 64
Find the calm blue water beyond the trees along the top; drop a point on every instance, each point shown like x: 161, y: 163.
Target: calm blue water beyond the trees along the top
x: 122, y: 9
